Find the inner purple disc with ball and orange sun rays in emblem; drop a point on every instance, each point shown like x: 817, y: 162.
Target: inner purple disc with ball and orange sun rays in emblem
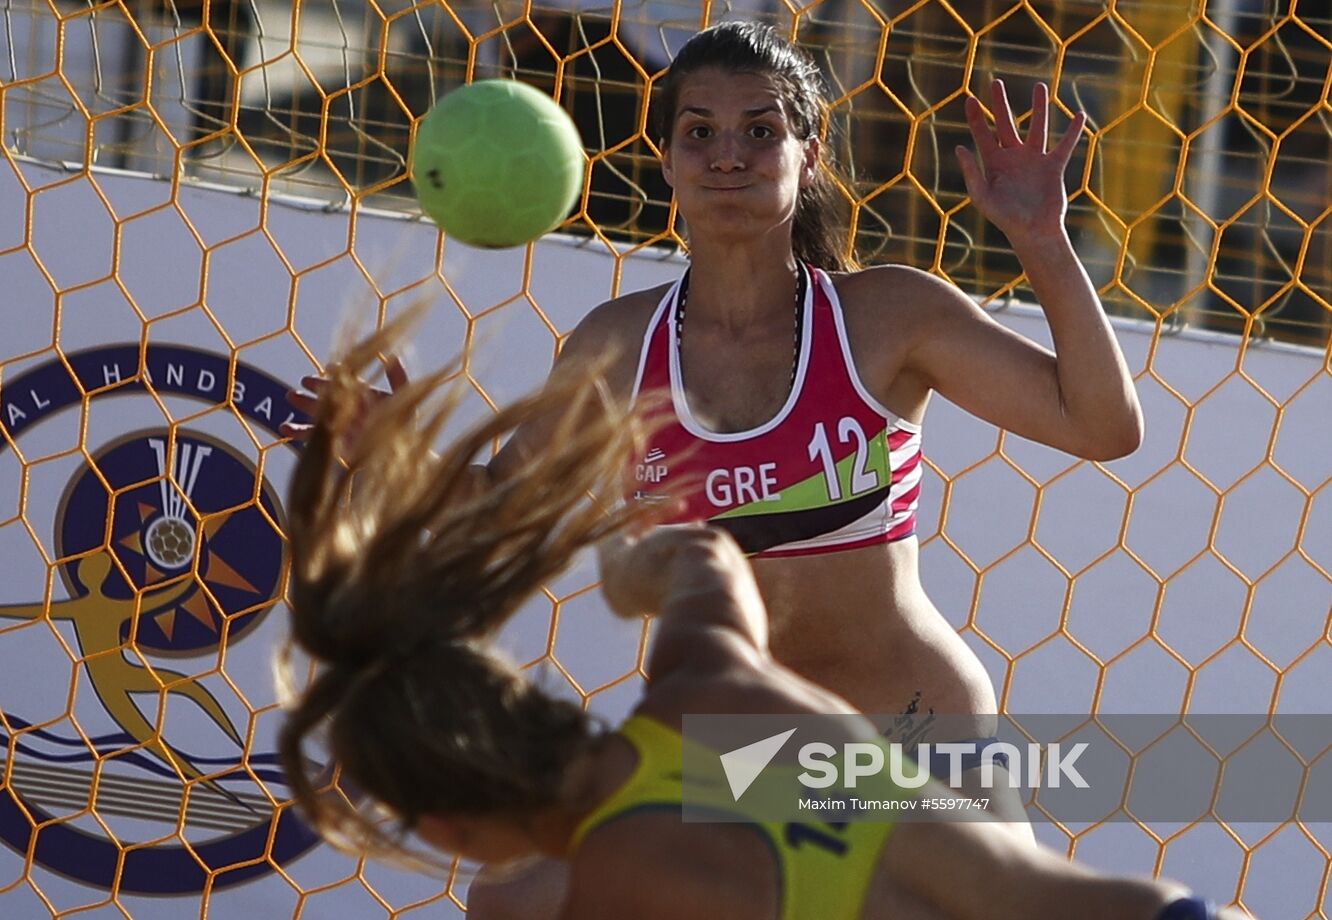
x: 171, y: 504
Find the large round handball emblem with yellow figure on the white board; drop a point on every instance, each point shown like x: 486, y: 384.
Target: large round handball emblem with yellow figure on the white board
x: 170, y: 548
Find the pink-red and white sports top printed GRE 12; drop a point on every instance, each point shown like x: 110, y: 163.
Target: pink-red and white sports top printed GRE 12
x: 833, y: 471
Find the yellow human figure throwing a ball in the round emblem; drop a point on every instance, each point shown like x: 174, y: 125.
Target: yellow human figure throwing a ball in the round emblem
x: 98, y: 621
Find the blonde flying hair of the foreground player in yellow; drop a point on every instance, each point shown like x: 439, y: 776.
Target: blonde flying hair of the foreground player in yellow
x: 404, y: 565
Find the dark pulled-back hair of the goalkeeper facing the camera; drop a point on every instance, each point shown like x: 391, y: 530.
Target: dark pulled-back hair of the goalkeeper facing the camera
x: 820, y: 232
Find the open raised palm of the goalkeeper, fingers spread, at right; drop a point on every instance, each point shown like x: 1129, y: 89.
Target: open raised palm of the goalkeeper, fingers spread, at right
x: 1016, y: 183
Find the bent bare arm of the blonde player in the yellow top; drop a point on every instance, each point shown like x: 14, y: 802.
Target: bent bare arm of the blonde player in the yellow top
x: 700, y: 586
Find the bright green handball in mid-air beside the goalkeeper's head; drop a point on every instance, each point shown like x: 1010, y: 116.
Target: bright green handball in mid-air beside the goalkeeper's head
x: 498, y: 164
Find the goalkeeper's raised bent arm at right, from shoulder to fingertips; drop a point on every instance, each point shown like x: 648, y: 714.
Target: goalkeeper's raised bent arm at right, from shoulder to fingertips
x: 1080, y: 397
